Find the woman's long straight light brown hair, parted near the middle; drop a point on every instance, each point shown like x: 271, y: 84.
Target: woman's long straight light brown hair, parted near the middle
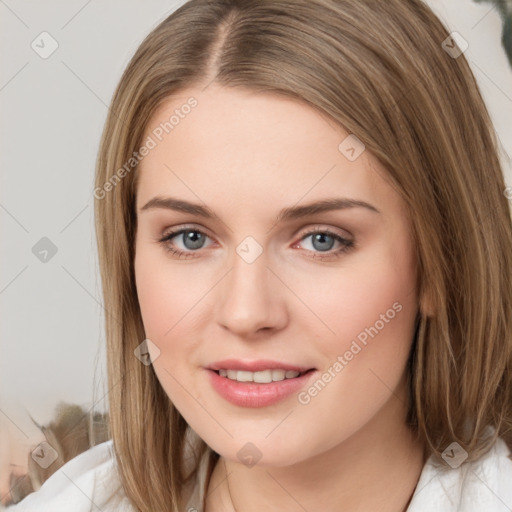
x: 383, y: 71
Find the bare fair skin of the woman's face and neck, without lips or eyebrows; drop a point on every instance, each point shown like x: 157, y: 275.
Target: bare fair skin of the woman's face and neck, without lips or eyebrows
x: 247, y: 155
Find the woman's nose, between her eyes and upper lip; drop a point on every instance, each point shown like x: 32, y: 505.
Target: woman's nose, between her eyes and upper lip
x: 251, y: 298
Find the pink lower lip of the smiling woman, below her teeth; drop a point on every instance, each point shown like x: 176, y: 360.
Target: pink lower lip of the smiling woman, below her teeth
x: 253, y: 394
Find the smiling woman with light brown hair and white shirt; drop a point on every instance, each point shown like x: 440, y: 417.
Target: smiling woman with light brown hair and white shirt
x: 252, y: 366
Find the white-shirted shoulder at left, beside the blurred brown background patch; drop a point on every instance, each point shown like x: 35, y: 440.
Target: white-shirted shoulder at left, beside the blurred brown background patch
x: 87, y: 482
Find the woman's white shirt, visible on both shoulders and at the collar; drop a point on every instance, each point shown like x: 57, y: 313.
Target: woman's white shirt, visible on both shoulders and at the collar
x: 85, y: 484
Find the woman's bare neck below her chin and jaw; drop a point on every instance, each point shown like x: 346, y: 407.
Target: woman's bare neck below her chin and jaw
x: 377, y: 468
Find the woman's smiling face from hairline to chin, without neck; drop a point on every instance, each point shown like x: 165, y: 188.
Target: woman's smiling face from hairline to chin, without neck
x: 267, y: 283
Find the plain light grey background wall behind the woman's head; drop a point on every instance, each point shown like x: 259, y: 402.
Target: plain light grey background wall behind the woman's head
x: 52, y: 113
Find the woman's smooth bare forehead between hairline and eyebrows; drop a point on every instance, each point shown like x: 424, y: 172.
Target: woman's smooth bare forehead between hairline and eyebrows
x: 234, y: 145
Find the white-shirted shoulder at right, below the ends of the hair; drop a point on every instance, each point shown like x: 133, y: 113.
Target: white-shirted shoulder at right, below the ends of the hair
x: 485, y: 484
